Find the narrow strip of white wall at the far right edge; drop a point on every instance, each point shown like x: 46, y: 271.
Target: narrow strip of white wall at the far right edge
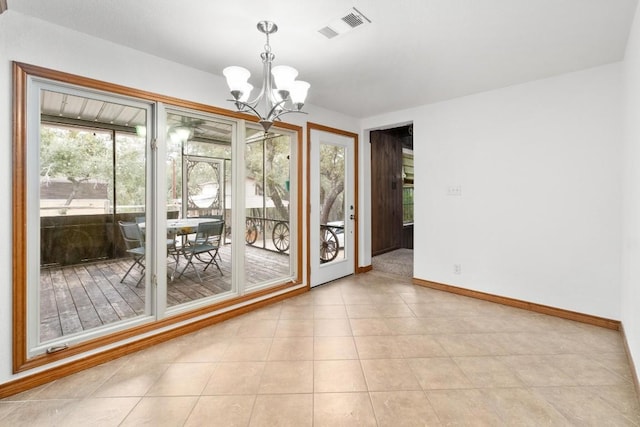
x: 631, y: 230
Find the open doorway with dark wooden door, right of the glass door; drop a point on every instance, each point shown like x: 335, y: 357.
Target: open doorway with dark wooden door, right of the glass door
x: 392, y: 187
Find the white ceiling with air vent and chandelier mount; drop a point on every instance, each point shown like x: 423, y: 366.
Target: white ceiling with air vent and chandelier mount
x: 414, y: 52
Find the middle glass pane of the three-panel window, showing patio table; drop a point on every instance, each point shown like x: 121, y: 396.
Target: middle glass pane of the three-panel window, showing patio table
x: 198, y: 208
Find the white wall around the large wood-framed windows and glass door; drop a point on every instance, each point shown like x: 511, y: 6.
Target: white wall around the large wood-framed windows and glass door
x: 32, y: 41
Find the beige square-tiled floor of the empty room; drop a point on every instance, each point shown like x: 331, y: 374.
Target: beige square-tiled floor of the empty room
x: 362, y: 351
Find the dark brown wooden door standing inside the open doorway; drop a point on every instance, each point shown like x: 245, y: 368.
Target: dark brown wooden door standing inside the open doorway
x: 386, y: 192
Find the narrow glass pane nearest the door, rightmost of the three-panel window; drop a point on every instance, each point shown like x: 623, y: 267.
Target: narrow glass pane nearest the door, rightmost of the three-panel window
x: 268, y: 220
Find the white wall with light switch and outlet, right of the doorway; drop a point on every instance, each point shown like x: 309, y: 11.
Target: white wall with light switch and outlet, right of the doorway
x: 540, y: 212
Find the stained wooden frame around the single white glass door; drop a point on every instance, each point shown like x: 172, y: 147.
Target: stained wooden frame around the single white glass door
x: 322, y: 128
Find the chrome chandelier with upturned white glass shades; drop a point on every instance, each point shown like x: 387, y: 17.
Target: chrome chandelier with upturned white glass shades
x: 281, y: 93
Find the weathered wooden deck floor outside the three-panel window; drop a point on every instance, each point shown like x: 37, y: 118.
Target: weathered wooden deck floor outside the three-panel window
x: 85, y: 296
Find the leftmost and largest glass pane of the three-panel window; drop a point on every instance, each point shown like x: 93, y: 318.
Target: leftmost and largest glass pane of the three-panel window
x: 92, y: 176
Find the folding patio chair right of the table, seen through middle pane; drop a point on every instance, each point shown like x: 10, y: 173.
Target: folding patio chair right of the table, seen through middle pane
x: 204, y: 247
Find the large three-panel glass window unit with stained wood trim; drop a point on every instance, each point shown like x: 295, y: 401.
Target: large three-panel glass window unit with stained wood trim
x: 131, y: 212
